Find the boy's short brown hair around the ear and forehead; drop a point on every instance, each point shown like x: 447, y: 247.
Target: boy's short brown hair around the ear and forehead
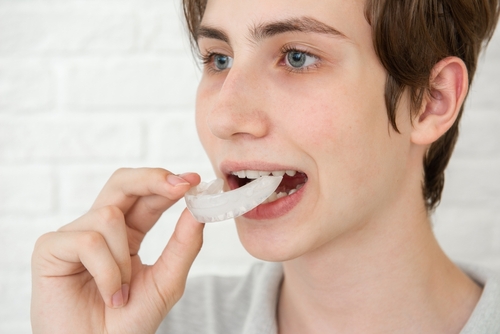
x: 410, y: 37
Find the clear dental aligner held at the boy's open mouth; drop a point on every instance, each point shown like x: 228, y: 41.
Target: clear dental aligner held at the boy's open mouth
x: 209, y: 204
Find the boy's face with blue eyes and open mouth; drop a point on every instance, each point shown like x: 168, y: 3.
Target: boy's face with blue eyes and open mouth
x: 296, y: 85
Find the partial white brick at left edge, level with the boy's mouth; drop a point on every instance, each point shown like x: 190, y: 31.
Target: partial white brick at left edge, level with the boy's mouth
x: 26, y: 189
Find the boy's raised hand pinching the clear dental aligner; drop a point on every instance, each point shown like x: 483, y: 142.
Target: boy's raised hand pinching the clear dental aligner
x: 88, y: 277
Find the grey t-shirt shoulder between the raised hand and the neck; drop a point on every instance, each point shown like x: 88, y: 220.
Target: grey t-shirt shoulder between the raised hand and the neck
x: 213, y: 304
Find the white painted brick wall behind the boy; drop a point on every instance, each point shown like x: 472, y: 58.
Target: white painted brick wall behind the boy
x: 87, y: 87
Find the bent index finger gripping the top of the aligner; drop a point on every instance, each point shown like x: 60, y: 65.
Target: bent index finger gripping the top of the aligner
x: 126, y: 185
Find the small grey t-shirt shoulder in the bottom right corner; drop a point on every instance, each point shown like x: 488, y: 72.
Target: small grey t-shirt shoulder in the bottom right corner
x: 486, y: 315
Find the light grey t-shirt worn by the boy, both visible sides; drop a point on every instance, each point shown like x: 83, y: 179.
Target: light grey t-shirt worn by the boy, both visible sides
x: 247, y: 305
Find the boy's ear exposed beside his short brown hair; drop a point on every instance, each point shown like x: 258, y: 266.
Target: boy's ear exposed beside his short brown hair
x: 448, y: 89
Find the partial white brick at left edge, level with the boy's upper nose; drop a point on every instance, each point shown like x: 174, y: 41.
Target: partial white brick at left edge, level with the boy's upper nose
x: 26, y: 85
